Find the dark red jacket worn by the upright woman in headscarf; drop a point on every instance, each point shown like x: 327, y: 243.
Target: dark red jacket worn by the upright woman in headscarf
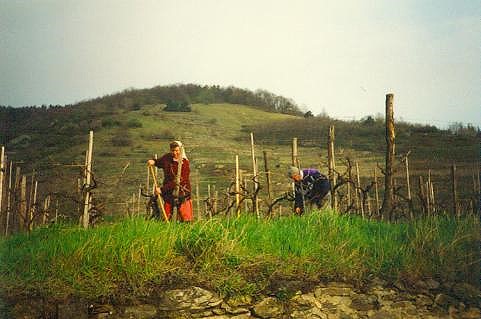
x: 169, y: 166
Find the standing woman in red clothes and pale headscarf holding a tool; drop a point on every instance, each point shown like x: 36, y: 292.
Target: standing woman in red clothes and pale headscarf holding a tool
x: 175, y: 194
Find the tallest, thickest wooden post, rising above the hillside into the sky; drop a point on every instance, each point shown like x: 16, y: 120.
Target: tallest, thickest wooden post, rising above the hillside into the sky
x: 387, y: 204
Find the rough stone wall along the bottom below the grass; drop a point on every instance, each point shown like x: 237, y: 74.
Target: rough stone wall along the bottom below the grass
x: 427, y: 299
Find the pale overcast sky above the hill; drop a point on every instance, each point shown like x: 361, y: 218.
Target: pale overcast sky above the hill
x: 340, y: 57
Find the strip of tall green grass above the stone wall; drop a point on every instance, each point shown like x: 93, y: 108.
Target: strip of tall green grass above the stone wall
x: 236, y: 256
